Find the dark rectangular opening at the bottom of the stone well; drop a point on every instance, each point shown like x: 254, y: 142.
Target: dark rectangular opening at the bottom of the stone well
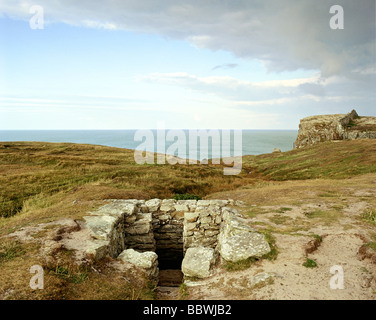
x: 169, y: 264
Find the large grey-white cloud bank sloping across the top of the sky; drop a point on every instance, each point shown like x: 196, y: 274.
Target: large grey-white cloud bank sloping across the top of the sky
x: 286, y: 35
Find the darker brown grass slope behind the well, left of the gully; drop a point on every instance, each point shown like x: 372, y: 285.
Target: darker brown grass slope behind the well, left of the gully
x: 29, y: 169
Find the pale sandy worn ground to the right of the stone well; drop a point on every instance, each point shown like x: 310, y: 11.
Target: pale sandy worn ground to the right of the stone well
x: 332, y: 211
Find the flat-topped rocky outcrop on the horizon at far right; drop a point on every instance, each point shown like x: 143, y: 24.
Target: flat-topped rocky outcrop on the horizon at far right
x: 317, y: 129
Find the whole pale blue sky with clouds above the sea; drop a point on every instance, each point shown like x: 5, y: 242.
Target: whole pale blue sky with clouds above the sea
x: 212, y: 64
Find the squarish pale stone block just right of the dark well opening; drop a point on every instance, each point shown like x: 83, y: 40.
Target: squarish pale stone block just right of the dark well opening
x: 198, y: 261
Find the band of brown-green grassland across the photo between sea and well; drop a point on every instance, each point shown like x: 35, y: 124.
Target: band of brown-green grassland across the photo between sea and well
x: 42, y: 174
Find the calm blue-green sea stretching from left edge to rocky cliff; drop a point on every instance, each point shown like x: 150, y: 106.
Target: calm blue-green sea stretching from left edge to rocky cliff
x: 253, y: 142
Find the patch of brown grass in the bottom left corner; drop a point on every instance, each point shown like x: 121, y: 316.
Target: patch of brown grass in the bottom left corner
x: 65, y: 280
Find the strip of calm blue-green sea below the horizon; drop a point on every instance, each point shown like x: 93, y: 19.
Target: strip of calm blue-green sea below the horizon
x: 254, y: 142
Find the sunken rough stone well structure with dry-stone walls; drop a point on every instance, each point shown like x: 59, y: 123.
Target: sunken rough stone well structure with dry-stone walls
x: 161, y: 232
